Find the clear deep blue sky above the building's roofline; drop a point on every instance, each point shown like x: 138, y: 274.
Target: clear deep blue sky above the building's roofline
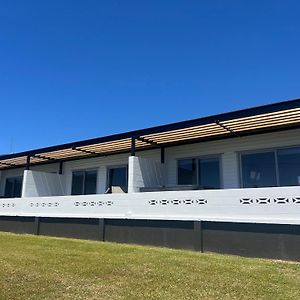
x: 71, y: 70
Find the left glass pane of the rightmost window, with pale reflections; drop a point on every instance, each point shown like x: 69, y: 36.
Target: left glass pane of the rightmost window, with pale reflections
x: 258, y: 170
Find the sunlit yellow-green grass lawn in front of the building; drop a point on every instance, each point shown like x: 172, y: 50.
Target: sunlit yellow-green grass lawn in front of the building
x: 34, y: 267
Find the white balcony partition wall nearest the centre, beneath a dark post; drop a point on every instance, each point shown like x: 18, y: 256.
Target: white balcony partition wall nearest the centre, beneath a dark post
x: 143, y: 172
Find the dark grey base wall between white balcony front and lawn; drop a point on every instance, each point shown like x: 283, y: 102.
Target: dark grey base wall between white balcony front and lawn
x: 245, y: 239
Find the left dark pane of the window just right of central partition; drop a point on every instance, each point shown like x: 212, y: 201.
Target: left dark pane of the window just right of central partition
x: 187, y: 171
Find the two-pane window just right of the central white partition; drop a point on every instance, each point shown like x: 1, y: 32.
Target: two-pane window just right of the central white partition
x: 204, y: 172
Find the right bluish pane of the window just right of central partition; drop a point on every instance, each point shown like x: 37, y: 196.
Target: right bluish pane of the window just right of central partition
x: 209, y: 173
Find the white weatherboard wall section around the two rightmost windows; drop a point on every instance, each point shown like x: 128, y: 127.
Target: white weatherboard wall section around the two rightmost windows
x: 228, y: 150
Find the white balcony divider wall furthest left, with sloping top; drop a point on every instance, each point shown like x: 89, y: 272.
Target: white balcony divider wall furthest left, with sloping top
x: 42, y: 184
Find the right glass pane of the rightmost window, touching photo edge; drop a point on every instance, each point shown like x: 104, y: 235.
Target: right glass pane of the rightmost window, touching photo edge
x: 289, y: 166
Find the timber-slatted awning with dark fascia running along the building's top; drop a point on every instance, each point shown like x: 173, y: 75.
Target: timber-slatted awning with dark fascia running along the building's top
x: 277, y: 116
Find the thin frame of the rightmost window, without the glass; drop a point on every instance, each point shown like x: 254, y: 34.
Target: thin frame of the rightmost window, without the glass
x: 257, y: 151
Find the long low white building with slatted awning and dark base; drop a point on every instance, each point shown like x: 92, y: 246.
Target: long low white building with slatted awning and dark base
x: 227, y: 183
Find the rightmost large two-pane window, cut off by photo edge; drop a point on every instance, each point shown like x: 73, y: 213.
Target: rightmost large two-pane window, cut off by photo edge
x: 279, y: 167
